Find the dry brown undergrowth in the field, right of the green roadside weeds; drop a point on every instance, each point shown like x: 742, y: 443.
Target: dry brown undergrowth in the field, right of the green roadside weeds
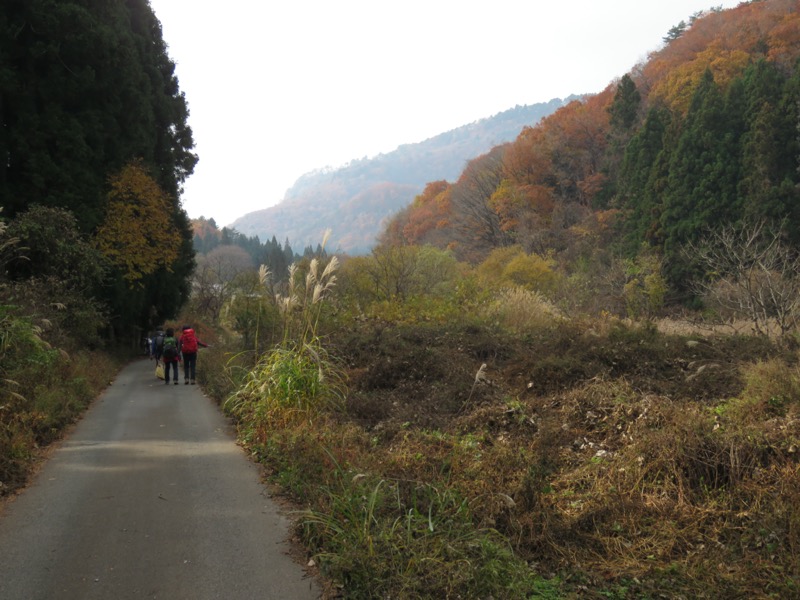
x: 620, y: 461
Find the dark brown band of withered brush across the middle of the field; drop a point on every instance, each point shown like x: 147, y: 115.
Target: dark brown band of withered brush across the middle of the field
x: 424, y: 375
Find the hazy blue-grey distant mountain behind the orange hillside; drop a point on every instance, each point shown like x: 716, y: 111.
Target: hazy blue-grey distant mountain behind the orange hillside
x: 356, y: 199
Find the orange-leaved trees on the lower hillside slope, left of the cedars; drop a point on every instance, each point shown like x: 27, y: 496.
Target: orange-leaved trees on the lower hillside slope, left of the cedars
x: 558, y: 161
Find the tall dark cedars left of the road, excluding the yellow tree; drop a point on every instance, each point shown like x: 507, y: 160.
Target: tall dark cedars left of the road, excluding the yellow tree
x: 86, y: 88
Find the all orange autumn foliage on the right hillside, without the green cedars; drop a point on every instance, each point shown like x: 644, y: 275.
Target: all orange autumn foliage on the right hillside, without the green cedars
x: 557, y: 175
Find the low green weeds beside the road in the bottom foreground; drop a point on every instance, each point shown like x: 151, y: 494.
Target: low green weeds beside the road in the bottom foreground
x: 396, y: 537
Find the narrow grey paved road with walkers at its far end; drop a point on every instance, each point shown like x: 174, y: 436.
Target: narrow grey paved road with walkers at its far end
x: 149, y: 497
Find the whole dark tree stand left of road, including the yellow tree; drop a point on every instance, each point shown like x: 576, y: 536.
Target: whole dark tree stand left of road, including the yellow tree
x: 95, y: 148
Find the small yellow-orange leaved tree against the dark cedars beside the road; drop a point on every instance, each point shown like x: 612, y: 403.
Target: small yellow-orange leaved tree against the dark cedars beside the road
x: 136, y: 234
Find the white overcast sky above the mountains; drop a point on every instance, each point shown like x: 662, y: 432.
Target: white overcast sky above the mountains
x: 278, y: 88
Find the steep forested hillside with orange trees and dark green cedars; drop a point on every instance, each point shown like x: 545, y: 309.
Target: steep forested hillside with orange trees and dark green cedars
x: 704, y: 133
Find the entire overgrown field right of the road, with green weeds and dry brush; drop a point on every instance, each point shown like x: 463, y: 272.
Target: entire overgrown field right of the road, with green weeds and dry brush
x: 490, y: 445
